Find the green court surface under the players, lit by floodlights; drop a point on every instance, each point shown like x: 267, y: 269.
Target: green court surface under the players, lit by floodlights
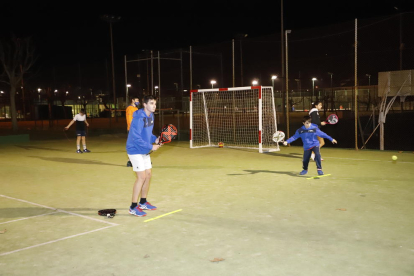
x: 220, y: 212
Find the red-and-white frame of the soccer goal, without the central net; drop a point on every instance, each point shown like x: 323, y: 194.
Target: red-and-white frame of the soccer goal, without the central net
x: 260, y: 89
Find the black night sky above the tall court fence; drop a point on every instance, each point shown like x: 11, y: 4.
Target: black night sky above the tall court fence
x: 64, y: 33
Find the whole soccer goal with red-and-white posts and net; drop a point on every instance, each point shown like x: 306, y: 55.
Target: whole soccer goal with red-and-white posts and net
x: 239, y: 117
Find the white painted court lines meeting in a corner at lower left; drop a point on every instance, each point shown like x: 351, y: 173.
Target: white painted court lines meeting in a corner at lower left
x: 56, y: 211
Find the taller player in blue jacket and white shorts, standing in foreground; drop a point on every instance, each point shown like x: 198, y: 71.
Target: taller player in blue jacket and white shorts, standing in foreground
x: 139, y: 144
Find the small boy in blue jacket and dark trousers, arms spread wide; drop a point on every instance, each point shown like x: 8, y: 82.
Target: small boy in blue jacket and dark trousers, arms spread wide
x: 309, y: 133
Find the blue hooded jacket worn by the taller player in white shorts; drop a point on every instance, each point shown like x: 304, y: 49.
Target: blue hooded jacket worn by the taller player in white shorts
x: 140, y: 137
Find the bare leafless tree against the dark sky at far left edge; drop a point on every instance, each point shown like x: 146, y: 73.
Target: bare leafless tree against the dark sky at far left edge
x: 16, y: 58
